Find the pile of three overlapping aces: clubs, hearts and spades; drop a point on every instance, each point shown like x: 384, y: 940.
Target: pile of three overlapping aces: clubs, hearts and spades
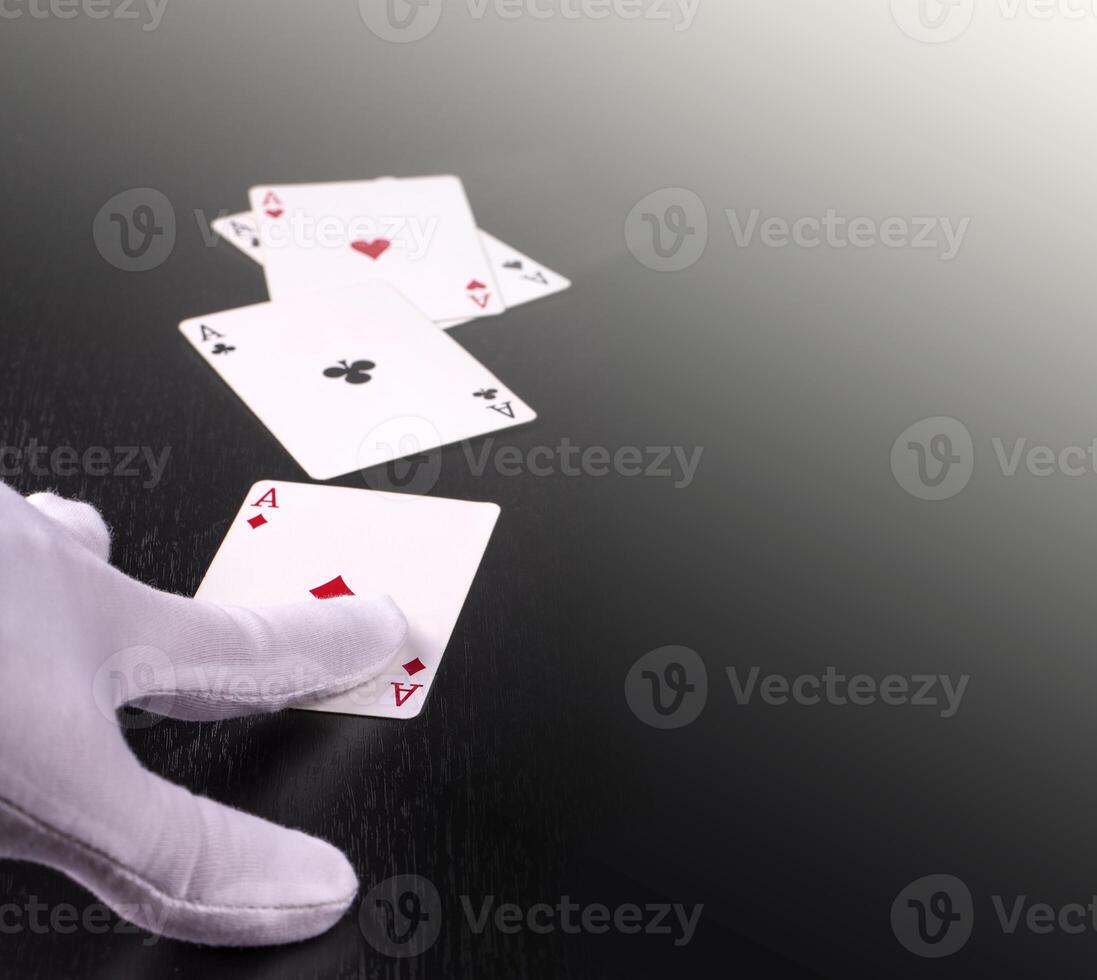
x: 347, y: 366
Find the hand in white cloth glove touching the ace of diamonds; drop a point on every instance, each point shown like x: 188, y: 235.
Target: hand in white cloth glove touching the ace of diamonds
x: 77, y: 640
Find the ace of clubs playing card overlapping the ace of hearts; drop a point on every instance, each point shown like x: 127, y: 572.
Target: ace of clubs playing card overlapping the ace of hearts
x: 353, y: 379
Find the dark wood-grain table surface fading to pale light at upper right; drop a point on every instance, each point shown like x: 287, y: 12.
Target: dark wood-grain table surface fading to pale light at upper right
x: 527, y: 776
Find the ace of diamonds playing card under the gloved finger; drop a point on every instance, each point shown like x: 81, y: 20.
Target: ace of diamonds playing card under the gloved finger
x: 292, y: 542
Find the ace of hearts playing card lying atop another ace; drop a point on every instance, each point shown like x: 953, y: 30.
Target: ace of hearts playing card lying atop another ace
x: 417, y: 234
